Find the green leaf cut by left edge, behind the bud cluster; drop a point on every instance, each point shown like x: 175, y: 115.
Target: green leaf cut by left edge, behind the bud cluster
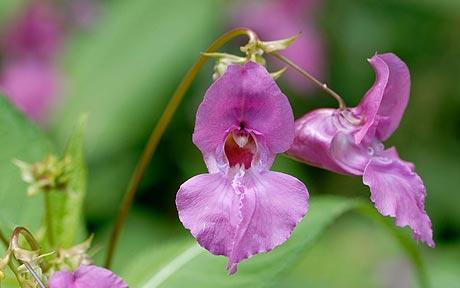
x: 19, y: 139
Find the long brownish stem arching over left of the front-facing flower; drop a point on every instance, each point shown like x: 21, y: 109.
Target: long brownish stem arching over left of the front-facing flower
x: 158, y: 131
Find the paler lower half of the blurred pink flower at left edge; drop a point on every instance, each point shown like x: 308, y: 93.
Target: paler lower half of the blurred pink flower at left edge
x: 31, y: 85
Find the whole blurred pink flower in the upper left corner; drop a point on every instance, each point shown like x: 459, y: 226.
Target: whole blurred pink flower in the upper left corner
x: 28, y: 75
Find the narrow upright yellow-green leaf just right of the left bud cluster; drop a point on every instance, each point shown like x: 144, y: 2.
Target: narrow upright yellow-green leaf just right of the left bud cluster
x: 67, y: 206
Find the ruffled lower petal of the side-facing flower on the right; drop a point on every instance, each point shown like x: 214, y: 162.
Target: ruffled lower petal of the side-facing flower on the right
x: 398, y: 192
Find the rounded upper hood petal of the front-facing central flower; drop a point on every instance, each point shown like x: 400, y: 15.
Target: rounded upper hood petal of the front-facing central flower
x: 244, y: 97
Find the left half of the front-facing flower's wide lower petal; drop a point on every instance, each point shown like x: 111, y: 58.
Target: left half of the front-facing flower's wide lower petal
x: 209, y: 207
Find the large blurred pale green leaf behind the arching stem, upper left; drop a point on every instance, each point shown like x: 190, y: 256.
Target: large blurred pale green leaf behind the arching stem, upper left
x: 124, y: 70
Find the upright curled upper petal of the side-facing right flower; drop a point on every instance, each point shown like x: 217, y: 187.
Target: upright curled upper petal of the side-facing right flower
x: 384, y: 104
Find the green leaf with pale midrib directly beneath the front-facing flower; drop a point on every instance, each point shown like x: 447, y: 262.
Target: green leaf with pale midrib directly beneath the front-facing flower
x: 174, y: 264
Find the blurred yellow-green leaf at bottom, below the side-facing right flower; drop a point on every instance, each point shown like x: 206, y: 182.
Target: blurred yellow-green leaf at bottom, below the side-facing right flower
x: 358, y: 253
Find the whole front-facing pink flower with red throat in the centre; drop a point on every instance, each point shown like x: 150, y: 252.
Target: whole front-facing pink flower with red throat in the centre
x: 241, y: 208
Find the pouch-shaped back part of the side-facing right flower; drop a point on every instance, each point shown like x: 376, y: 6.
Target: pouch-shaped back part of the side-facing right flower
x: 312, y: 142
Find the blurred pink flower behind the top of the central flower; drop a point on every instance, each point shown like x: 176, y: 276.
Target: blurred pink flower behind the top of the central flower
x: 277, y: 19
